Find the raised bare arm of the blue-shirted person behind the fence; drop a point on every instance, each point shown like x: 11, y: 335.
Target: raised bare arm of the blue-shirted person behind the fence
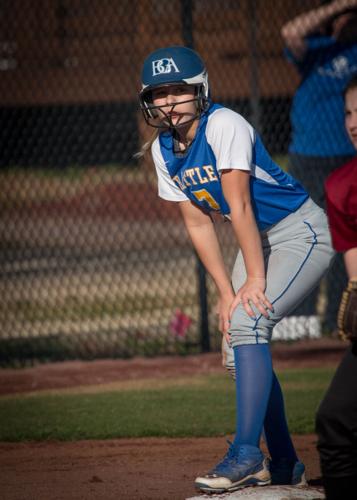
x: 295, y: 31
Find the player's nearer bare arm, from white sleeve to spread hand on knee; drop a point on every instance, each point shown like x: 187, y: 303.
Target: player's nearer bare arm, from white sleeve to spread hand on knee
x: 236, y: 189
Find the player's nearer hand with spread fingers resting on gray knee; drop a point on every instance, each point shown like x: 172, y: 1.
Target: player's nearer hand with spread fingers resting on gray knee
x: 252, y: 293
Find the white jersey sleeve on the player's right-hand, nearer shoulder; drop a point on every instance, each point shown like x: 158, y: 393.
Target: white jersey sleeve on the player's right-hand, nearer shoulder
x: 231, y: 138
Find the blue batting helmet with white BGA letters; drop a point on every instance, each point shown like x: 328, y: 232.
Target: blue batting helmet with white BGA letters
x: 173, y: 66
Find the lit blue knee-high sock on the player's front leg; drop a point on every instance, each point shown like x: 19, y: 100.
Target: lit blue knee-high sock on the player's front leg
x: 253, y: 386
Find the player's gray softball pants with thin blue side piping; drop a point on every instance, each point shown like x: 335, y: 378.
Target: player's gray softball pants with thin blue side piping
x: 297, y: 253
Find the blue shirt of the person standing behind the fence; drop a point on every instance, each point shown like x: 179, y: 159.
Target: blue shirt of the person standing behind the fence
x: 317, y: 114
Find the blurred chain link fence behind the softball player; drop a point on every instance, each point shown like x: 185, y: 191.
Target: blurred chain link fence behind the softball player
x: 93, y: 263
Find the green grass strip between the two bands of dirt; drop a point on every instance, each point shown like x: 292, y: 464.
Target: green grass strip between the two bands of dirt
x: 195, y: 406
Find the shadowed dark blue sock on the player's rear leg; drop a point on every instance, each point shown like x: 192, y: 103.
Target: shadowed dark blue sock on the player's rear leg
x: 276, y: 430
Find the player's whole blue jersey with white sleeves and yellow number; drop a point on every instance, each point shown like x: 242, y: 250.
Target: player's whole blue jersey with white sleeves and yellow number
x: 225, y: 140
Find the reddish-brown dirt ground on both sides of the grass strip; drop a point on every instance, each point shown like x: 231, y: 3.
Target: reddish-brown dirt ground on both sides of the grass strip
x: 129, y: 469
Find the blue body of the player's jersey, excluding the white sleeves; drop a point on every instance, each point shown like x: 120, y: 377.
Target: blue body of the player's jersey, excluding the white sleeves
x: 274, y: 193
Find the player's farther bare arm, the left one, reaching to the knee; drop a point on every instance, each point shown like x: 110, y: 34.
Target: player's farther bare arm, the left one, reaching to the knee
x: 201, y: 230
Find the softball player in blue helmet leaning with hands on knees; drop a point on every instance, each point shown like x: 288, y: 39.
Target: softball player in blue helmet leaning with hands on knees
x: 210, y: 159
